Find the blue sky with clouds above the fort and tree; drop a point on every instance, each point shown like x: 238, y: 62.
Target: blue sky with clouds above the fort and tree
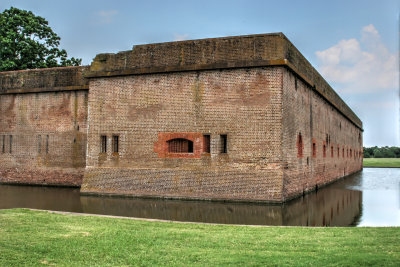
x: 353, y: 44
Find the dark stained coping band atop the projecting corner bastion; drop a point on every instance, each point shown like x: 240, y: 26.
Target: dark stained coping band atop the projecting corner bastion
x: 260, y: 50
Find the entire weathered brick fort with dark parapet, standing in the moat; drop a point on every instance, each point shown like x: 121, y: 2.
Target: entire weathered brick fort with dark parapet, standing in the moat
x: 239, y: 118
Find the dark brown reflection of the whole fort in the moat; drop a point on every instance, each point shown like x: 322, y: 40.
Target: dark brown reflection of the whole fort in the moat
x: 329, y: 206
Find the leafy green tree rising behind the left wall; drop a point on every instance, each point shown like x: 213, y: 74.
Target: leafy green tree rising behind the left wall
x: 27, y: 42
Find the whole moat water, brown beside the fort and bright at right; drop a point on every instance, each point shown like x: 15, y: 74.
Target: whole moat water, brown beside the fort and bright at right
x: 367, y: 198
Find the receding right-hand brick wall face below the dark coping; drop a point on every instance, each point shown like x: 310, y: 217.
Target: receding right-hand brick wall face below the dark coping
x: 305, y: 112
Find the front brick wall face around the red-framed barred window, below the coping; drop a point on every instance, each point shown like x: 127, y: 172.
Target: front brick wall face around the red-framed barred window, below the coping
x: 245, y: 104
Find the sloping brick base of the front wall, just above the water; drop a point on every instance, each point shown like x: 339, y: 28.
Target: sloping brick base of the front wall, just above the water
x: 195, y: 183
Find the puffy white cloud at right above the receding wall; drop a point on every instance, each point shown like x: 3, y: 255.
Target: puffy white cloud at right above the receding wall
x: 364, y: 65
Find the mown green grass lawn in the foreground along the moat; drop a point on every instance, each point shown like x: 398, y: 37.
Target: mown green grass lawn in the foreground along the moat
x: 40, y: 238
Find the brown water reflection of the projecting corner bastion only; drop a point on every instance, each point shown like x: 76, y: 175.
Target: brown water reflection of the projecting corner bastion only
x: 327, y: 207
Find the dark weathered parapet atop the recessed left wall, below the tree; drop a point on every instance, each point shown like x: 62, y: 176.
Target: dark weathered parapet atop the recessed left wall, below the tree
x: 43, y: 80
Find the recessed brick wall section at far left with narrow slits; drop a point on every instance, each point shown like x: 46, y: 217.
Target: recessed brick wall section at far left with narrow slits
x: 47, y: 129
